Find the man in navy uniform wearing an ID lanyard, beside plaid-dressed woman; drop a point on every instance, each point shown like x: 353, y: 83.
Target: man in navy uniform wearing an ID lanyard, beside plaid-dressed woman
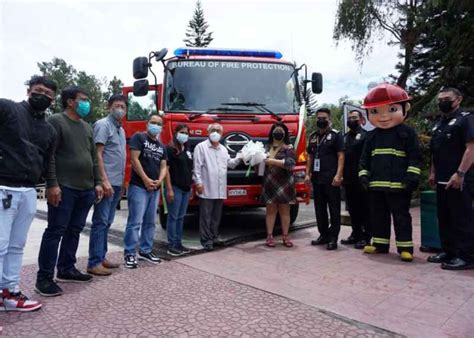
x: 324, y: 169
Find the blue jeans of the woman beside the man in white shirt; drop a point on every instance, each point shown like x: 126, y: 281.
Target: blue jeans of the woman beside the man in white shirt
x: 176, y: 212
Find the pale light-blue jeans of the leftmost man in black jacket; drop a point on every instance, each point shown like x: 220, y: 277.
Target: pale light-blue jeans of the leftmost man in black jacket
x: 14, y: 225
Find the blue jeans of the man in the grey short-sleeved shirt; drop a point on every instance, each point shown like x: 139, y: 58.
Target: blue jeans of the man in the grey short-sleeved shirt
x: 102, y: 219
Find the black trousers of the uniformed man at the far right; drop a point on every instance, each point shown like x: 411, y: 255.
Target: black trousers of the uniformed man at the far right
x: 456, y: 221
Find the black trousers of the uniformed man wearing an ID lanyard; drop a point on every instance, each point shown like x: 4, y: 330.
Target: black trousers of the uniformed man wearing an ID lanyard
x: 325, y: 195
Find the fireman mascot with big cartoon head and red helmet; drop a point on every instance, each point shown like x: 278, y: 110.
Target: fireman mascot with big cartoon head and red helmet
x: 390, y: 169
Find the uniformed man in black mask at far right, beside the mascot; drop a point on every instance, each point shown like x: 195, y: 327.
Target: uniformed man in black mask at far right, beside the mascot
x: 452, y: 173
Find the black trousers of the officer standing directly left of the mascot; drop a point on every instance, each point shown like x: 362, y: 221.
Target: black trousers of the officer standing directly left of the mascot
x: 357, y: 200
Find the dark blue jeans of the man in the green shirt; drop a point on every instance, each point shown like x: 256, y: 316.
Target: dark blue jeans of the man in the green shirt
x: 65, y: 223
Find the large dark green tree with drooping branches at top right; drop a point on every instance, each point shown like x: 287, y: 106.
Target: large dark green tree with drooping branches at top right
x: 435, y: 37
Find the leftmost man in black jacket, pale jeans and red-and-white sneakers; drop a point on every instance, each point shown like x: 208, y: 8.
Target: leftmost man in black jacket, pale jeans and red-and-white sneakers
x: 27, y: 142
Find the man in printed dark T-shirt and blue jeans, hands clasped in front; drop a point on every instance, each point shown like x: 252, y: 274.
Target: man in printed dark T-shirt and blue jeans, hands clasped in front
x: 149, y: 169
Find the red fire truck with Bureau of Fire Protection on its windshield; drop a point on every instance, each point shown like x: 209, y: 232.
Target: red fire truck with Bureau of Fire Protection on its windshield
x: 244, y: 90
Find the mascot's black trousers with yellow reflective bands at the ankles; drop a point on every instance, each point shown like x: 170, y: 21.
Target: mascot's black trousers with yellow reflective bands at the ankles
x: 383, y: 205
